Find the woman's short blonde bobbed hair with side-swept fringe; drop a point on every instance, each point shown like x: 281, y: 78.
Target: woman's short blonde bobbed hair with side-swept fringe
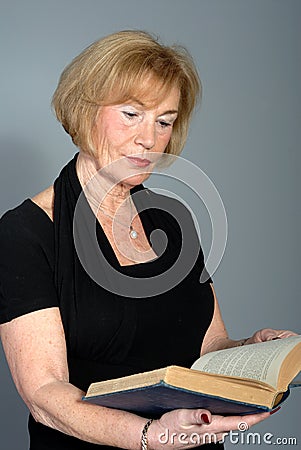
x: 113, y: 70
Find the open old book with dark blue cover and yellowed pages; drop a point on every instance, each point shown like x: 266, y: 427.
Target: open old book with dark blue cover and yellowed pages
x: 240, y: 380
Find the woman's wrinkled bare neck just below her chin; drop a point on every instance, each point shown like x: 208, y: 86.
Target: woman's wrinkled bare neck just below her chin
x: 99, y: 188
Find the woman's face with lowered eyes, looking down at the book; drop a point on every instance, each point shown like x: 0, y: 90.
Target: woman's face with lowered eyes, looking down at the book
x: 134, y: 134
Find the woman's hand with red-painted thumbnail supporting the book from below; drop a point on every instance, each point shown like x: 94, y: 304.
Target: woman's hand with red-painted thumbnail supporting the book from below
x: 189, y: 428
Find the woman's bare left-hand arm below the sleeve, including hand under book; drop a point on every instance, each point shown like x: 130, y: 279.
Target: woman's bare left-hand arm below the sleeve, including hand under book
x: 36, y: 353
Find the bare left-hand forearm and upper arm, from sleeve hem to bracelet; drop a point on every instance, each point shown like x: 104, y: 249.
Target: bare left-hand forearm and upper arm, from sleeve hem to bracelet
x: 36, y: 353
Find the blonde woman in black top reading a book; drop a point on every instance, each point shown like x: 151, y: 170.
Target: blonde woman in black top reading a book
x: 125, y: 101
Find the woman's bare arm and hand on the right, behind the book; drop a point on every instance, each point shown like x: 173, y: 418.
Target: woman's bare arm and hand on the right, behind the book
x: 216, y: 337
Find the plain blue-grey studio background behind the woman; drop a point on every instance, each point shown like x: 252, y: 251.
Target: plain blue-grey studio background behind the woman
x: 246, y: 137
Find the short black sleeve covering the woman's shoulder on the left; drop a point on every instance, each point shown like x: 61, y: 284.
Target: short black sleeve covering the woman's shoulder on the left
x: 26, y: 271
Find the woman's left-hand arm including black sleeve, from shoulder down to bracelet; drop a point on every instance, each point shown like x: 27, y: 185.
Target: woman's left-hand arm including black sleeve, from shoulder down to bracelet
x: 34, y: 341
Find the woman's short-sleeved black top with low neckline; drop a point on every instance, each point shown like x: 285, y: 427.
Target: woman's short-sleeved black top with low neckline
x: 112, y: 335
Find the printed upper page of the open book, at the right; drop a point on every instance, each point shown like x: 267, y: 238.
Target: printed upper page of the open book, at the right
x: 257, y: 361
